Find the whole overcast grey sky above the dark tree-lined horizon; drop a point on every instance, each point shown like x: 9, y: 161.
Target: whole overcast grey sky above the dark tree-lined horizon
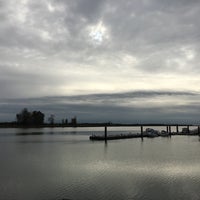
x: 131, y: 61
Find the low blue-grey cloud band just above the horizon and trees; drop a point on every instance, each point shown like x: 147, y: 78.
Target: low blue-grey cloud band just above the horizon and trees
x: 112, y: 107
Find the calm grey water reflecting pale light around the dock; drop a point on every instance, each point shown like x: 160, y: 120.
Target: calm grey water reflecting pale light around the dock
x: 58, y: 163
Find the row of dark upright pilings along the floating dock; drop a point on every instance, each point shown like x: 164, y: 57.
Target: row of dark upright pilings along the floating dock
x: 168, y: 130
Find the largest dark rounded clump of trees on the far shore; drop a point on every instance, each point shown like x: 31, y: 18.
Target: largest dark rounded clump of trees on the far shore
x: 30, y: 118
